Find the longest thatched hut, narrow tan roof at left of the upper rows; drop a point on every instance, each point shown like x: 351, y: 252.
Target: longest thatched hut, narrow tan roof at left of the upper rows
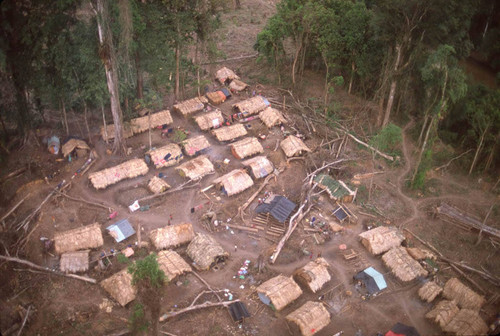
x: 109, y: 176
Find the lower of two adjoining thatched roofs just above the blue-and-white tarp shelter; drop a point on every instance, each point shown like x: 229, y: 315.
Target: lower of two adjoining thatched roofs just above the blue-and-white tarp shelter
x: 402, y: 265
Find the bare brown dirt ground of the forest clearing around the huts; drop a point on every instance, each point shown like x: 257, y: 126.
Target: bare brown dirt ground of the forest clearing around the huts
x: 70, y: 307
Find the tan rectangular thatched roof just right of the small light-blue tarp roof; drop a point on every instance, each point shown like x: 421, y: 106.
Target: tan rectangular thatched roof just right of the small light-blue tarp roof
x: 171, y: 235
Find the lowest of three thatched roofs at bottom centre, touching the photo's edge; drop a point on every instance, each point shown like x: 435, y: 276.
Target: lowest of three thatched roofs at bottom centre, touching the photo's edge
x: 310, y: 318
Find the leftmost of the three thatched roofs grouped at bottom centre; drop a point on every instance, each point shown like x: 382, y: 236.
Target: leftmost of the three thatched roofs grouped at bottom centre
x: 279, y: 291
